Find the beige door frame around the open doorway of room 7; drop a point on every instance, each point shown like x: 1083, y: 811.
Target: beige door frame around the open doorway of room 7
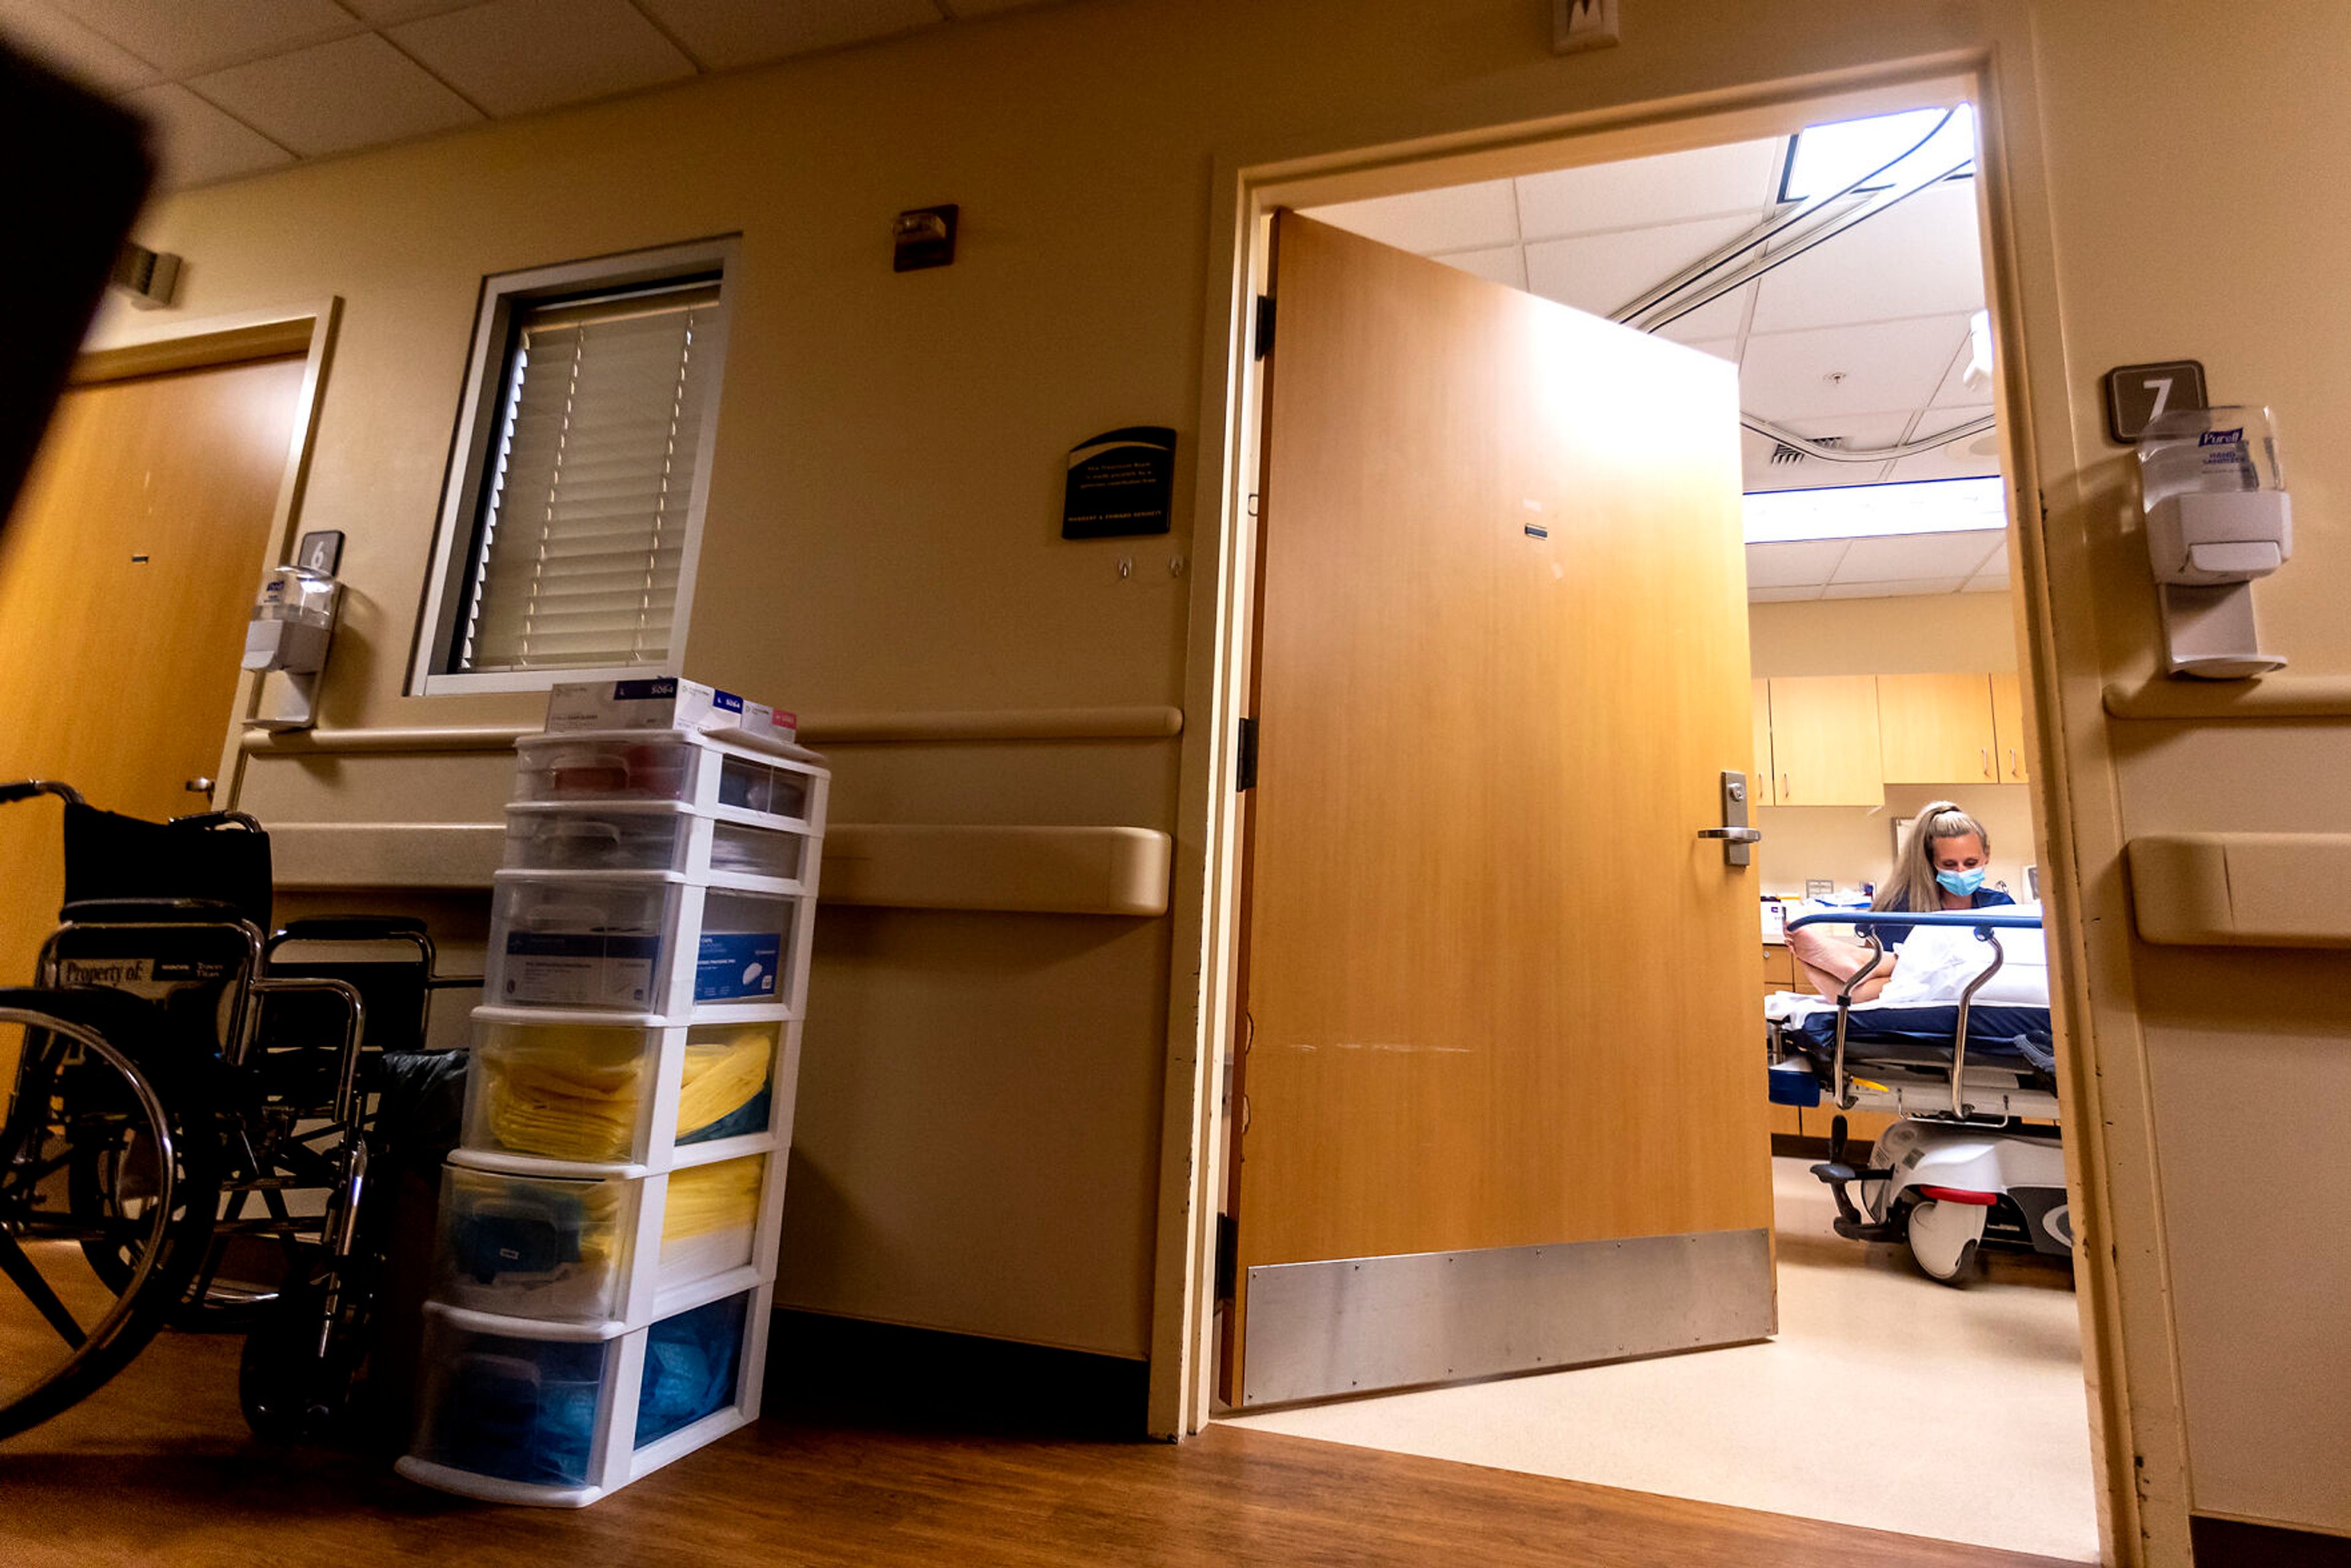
x: 2124, y: 1294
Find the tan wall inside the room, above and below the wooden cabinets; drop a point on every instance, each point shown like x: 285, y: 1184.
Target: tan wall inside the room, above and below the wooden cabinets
x: 1913, y: 636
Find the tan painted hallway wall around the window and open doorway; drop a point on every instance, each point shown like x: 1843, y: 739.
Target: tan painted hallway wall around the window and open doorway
x: 883, y: 540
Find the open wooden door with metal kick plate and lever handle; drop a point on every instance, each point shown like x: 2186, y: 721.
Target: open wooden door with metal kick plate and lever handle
x: 1503, y: 1085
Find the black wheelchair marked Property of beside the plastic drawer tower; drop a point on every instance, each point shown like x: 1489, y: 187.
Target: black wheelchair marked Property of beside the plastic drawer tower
x: 196, y: 1111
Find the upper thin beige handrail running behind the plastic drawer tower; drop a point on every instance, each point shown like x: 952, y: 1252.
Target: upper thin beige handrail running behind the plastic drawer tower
x: 1139, y: 723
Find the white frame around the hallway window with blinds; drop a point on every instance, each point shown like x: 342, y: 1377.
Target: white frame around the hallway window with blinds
x: 504, y: 295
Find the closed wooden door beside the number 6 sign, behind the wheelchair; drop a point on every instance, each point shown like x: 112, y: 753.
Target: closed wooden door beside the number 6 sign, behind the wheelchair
x: 126, y: 584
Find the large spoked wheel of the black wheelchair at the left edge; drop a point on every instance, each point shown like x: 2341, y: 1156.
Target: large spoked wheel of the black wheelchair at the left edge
x: 65, y: 1325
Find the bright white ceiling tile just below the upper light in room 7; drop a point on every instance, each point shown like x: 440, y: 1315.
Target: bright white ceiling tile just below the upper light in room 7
x: 1913, y: 260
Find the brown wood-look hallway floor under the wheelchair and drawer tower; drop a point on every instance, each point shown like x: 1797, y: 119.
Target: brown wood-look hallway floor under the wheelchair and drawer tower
x: 159, y: 1470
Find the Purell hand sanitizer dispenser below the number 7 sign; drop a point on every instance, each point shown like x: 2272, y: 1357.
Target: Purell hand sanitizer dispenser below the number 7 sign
x: 2218, y: 518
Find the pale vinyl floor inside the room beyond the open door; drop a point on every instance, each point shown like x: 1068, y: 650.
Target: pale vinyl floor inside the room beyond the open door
x: 1884, y: 1402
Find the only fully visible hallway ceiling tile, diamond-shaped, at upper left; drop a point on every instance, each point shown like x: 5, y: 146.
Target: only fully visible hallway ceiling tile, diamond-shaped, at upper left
x: 337, y: 98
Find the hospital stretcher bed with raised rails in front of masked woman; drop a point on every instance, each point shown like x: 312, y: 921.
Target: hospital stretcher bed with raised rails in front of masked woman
x: 1960, y: 1170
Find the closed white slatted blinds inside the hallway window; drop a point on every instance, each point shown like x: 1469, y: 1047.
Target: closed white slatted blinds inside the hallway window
x: 584, y: 514
